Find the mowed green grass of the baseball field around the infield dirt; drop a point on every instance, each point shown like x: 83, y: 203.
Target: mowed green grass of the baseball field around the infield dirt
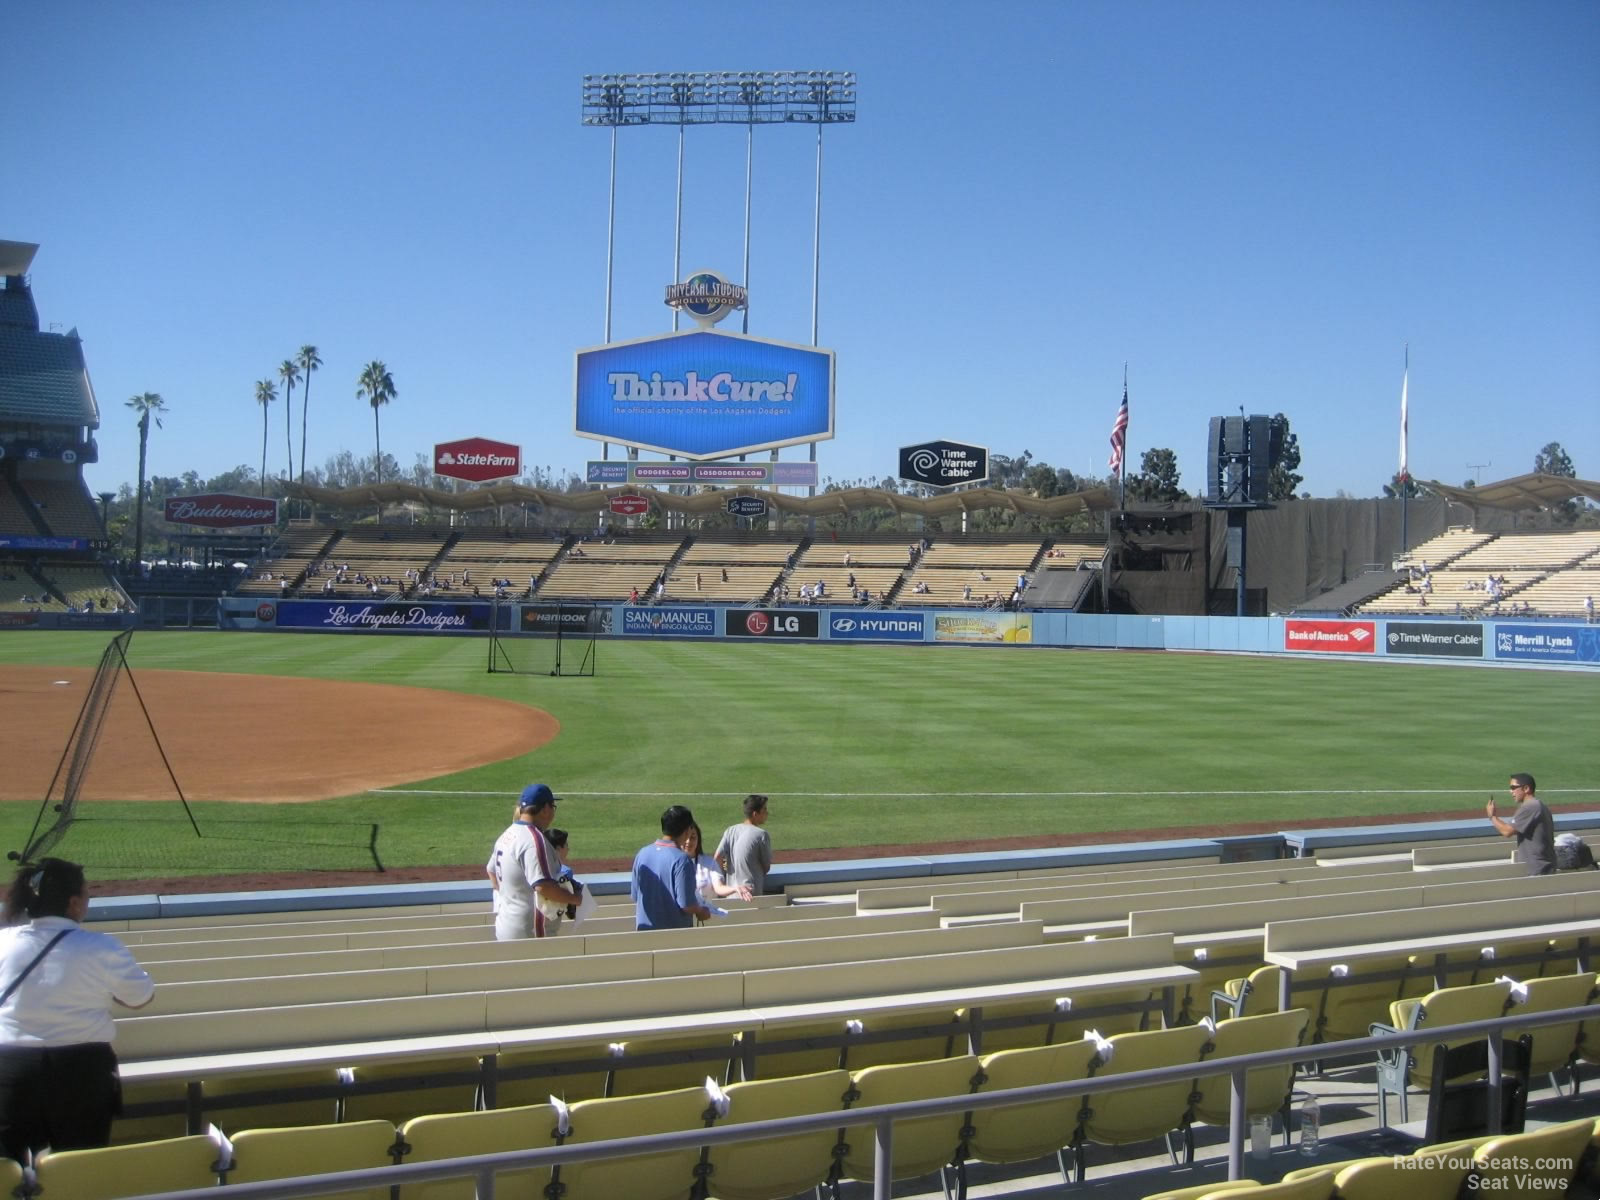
x: 871, y: 745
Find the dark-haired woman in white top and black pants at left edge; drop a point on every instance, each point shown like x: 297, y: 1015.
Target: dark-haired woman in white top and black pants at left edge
x: 58, y: 1074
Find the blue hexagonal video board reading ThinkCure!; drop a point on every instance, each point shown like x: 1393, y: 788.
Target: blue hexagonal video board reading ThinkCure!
x: 705, y: 394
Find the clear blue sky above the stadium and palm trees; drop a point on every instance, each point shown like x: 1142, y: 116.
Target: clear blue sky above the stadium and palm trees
x: 1250, y: 204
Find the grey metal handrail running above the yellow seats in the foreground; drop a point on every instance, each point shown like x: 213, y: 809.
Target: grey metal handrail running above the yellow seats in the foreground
x: 882, y: 1118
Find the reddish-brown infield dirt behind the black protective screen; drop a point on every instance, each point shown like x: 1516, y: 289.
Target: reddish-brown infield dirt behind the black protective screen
x: 255, y: 738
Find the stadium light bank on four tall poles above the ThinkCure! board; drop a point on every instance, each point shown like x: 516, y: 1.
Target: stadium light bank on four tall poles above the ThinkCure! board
x: 721, y: 98
